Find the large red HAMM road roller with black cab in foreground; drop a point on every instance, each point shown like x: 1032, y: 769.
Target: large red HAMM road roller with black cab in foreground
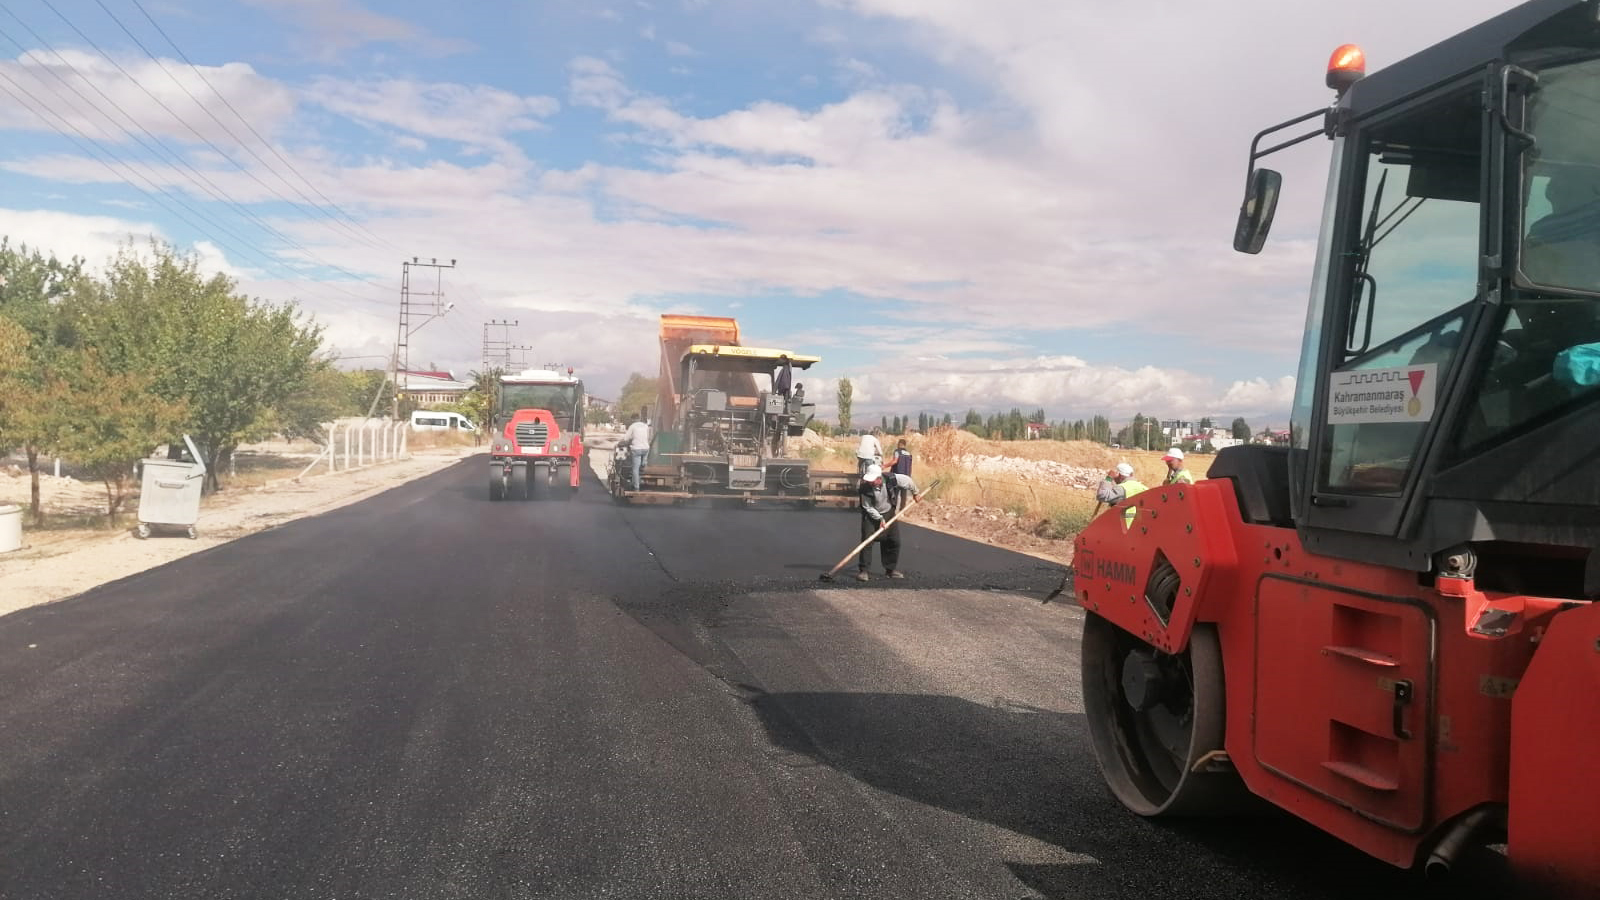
x: 1390, y: 629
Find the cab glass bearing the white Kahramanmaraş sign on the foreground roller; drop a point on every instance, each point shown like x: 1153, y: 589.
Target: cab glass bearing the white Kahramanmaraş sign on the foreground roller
x: 1412, y: 255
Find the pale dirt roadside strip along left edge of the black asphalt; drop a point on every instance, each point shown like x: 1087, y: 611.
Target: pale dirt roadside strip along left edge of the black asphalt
x: 76, y: 552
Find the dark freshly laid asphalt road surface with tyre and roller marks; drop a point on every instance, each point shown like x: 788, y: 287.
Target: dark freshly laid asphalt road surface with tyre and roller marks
x: 436, y: 696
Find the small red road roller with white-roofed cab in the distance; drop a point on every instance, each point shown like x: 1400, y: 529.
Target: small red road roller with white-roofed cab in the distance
x: 537, y: 440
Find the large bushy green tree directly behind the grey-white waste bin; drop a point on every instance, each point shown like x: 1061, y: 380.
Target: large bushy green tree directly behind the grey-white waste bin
x: 230, y: 360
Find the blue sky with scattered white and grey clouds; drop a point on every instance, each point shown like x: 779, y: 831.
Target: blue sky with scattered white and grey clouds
x: 953, y: 203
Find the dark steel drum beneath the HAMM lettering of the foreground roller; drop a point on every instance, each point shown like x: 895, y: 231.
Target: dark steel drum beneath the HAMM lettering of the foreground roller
x: 1156, y: 718
